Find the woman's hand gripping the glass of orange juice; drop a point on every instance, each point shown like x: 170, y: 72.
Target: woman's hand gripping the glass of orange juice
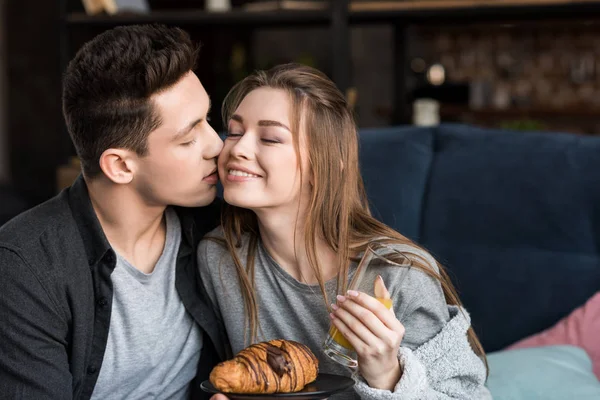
x: 374, y: 332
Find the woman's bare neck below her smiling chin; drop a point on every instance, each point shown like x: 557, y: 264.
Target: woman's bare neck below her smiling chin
x: 283, y: 237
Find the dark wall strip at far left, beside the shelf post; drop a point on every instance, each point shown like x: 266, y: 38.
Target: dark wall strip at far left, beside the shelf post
x: 34, y: 116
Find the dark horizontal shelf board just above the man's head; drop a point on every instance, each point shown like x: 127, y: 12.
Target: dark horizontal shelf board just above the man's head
x: 281, y: 18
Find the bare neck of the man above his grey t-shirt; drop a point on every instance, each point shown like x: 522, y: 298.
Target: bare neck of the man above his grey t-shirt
x: 134, y: 229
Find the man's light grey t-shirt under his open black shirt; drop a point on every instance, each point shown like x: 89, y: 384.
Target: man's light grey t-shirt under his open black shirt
x: 153, y: 345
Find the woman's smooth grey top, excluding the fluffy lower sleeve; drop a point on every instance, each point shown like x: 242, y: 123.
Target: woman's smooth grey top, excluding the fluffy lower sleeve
x: 292, y: 310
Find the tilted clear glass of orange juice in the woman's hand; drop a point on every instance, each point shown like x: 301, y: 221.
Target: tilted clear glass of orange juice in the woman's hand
x: 376, y: 260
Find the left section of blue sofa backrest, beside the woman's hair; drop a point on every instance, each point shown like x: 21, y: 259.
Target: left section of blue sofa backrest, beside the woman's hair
x: 395, y: 165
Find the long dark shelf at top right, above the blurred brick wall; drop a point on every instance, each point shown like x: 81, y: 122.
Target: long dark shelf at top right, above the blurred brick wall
x: 471, y: 11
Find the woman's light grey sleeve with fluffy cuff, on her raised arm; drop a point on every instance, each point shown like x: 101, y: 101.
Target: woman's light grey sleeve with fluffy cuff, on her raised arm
x: 436, y: 357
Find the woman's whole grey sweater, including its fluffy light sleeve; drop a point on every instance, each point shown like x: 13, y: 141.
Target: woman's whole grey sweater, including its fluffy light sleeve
x: 437, y: 360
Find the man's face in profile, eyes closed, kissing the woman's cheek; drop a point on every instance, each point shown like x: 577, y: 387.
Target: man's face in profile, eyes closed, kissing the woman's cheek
x: 180, y: 167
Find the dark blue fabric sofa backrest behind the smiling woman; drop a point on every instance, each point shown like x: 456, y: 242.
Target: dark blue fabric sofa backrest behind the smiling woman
x: 514, y: 216
